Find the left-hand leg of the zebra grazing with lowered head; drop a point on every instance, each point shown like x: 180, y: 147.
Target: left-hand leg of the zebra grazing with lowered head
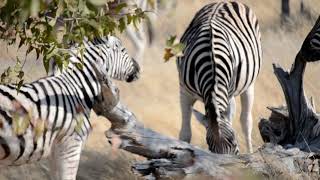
x: 186, y: 103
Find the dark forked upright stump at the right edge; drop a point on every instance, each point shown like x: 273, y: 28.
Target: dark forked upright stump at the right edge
x: 298, y: 124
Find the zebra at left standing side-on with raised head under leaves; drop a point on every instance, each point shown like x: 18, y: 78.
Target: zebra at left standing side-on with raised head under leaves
x: 50, y: 117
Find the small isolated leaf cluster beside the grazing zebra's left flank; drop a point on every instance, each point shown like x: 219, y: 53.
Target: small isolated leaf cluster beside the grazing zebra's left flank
x: 173, y: 49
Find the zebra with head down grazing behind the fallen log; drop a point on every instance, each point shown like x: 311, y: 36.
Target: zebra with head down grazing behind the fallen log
x: 221, y: 60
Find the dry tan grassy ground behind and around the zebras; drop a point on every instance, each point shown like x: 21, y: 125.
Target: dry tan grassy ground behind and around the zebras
x: 155, y: 97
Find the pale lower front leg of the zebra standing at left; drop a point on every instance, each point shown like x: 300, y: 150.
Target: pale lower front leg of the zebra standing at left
x: 64, y: 160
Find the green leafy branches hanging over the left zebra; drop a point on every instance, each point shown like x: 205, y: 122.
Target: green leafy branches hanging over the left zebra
x: 50, y: 27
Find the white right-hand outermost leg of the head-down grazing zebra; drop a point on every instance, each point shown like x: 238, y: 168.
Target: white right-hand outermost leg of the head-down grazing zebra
x: 246, y: 116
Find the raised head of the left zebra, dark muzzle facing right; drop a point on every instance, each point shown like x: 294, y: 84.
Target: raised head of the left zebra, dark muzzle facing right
x: 115, y: 60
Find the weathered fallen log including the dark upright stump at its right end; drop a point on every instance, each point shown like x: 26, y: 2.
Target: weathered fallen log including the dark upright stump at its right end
x: 294, y: 129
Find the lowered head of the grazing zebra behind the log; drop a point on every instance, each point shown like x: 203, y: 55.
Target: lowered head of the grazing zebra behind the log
x: 220, y: 137
